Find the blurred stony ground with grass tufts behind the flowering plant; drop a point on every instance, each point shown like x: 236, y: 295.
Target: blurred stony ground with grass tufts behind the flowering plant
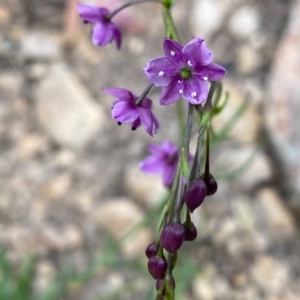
x: 76, y: 214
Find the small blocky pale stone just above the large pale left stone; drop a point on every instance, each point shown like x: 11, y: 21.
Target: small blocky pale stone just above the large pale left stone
x: 40, y: 45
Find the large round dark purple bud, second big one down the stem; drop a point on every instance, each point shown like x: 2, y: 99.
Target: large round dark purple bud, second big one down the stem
x: 172, y: 237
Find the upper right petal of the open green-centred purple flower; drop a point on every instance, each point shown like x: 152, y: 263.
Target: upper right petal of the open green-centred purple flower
x: 197, y: 51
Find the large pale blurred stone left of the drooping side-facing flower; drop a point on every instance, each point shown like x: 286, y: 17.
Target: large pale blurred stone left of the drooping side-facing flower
x: 65, y: 109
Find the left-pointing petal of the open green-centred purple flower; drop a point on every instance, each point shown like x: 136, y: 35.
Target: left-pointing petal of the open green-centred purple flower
x: 161, y: 70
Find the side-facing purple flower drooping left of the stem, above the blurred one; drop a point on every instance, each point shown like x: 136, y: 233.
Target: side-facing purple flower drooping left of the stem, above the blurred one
x: 126, y: 110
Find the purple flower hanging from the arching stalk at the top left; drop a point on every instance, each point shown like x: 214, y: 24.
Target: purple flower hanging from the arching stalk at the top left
x: 104, y: 30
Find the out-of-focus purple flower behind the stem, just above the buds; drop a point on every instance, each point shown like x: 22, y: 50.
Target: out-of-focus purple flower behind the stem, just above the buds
x: 164, y: 159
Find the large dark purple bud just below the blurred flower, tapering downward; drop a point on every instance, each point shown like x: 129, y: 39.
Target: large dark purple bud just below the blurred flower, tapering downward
x: 195, y: 194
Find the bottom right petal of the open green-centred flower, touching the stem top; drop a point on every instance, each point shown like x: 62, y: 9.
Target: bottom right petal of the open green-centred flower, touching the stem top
x: 195, y: 90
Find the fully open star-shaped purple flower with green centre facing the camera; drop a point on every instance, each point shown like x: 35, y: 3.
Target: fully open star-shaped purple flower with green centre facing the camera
x: 184, y: 71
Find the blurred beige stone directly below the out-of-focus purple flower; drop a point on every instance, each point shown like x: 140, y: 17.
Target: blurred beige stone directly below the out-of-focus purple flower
x: 148, y: 189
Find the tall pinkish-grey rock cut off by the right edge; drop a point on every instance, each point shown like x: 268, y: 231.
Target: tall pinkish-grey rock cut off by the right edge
x: 282, y: 106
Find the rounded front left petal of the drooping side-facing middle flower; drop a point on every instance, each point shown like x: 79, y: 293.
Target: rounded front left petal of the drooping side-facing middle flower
x: 124, y: 112
